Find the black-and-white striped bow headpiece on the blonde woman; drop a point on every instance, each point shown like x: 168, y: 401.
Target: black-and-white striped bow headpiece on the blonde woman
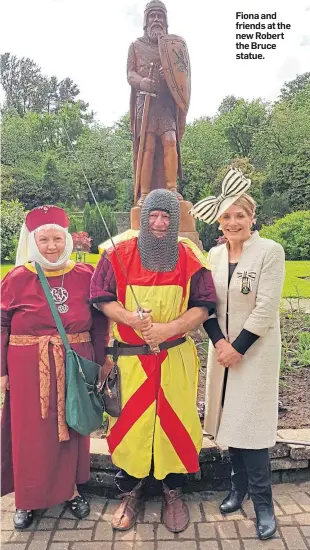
x: 211, y: 208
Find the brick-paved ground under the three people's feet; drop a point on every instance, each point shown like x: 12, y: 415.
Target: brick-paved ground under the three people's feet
x: 209, y: 530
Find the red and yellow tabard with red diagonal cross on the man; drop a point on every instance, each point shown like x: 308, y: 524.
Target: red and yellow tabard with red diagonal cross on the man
x: 159, y: 419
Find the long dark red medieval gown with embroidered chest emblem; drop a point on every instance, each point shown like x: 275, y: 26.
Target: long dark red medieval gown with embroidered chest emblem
x: 41, y: 469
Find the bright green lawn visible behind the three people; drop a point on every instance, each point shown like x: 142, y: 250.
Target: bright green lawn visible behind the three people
x: 294, y: 286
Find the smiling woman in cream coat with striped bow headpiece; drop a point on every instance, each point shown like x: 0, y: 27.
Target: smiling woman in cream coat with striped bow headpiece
x: 244, y: 356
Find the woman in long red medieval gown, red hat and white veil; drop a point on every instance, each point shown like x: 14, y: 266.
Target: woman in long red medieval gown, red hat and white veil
x: 43, y: 460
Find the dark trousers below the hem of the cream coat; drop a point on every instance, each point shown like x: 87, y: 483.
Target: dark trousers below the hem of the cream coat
x: 251, y: 472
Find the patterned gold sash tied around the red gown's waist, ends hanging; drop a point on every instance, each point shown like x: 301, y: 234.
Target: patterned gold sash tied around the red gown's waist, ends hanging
x: 44, y: 370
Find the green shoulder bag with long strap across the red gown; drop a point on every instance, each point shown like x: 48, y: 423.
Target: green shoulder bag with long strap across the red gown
x: 84, y: 404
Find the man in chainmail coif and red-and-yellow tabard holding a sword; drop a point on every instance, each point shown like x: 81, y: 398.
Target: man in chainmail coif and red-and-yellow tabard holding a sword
x: 158, y: 430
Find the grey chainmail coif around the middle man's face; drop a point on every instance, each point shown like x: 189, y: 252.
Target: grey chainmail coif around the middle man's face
x: 159, y: 254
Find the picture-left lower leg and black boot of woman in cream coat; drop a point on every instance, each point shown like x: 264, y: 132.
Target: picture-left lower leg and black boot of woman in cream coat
x: 239, y: 483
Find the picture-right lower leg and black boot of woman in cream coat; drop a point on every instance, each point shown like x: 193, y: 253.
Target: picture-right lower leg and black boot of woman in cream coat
x: 259, y: 473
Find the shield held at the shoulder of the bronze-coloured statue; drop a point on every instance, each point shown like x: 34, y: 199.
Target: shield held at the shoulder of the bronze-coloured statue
x: 175, y: 62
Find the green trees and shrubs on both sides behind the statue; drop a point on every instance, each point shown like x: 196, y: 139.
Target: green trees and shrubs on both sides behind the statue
x: 270, y: 142
